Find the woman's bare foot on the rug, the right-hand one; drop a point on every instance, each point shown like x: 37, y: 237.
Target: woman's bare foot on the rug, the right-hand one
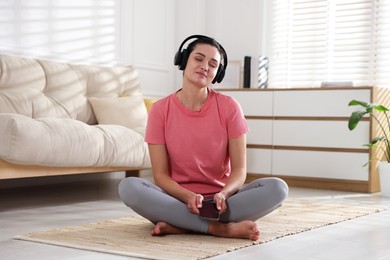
x: 244, y: 229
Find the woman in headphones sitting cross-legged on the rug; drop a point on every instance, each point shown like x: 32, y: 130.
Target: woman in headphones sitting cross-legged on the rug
x: 197, y: 145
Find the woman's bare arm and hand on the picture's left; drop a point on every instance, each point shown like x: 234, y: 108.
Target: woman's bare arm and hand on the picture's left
x: 159, y: 158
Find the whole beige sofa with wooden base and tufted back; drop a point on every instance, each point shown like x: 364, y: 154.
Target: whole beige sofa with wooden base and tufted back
x: 58, y: 118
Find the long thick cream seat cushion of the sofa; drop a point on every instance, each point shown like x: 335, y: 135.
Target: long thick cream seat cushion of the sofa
x: 68, y: 142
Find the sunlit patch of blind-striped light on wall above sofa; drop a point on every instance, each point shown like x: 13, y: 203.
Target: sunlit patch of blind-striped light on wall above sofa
x: 72, y: 30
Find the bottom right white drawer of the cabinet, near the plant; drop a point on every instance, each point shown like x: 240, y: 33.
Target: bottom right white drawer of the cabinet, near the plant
x: 331, y: 165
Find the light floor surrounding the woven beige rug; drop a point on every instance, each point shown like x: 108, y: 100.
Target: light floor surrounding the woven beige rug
x: 27, y: 206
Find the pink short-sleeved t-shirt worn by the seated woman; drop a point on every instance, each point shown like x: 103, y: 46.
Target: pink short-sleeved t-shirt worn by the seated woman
x: 197, y: 141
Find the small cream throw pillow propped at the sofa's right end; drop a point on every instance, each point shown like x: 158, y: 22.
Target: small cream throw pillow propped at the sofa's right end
x: 129, y: 111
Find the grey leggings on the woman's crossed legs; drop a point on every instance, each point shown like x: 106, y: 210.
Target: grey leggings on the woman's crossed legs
x: 251, y: 202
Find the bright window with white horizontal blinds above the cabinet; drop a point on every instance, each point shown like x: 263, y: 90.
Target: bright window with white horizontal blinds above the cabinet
x: 315, y: 41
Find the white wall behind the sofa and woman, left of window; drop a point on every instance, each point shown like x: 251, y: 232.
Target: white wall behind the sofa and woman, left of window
x: 143, y: 33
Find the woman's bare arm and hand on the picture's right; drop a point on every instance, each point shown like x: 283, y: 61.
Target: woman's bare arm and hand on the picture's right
x: 237, y: 153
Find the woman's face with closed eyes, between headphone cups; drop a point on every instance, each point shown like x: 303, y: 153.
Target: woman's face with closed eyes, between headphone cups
x: 202, y: 65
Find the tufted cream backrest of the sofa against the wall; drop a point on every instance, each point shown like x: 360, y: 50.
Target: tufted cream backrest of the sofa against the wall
x: 42, y: 88
